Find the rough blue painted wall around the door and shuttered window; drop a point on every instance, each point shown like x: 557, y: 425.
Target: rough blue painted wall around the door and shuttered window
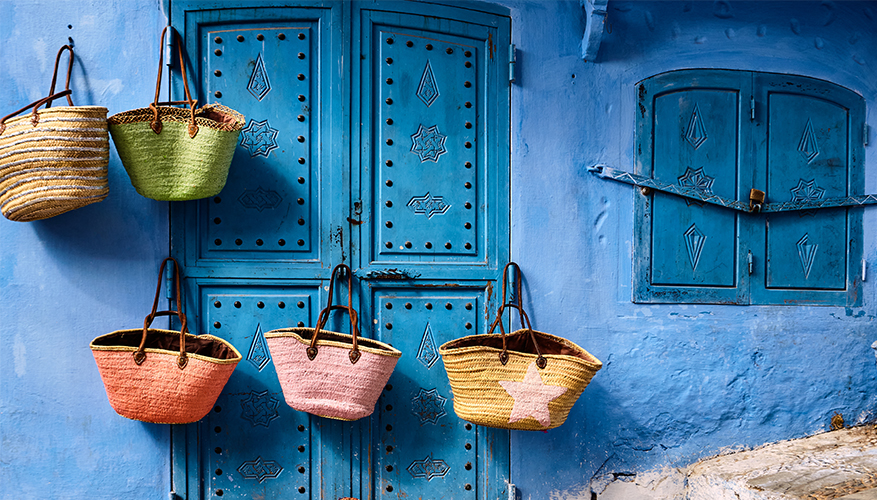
x: 679, y: 382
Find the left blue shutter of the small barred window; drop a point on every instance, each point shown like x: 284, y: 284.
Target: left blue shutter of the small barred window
x: 690, y: 134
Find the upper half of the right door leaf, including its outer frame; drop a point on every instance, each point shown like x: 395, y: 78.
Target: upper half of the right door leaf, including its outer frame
x: 433, y: 101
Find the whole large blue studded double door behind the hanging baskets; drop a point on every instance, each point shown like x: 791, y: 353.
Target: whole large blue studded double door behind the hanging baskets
x: 419, y: 210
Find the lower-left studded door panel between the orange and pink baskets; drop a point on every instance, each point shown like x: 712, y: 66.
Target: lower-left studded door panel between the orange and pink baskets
x: 254, y: 445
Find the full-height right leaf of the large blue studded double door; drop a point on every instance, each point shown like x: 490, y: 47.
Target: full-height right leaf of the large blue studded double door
x: 434, y: 191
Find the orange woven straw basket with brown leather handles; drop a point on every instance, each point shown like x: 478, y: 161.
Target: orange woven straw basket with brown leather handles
x: 163, y: 376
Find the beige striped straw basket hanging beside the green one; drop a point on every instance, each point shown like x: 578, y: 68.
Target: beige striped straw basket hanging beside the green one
x: 53, y: 160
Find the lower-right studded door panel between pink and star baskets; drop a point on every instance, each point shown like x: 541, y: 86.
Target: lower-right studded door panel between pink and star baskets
x: 423, y: 450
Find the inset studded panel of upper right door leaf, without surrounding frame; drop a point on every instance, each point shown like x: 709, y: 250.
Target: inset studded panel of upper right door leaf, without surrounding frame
x: 427, y: 182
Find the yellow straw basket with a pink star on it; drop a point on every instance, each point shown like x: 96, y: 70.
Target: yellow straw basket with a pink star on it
x: 524, y: 380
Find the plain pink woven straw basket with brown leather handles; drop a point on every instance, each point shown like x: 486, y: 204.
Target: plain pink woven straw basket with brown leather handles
x: 331, y: 374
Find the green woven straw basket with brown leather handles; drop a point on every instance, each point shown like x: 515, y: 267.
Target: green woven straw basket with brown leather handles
x: 175, y: 154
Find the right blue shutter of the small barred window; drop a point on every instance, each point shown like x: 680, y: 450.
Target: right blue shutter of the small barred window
x: 812, y: 151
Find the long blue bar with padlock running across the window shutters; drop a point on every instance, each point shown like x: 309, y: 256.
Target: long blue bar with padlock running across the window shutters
x: 754, y: 205
